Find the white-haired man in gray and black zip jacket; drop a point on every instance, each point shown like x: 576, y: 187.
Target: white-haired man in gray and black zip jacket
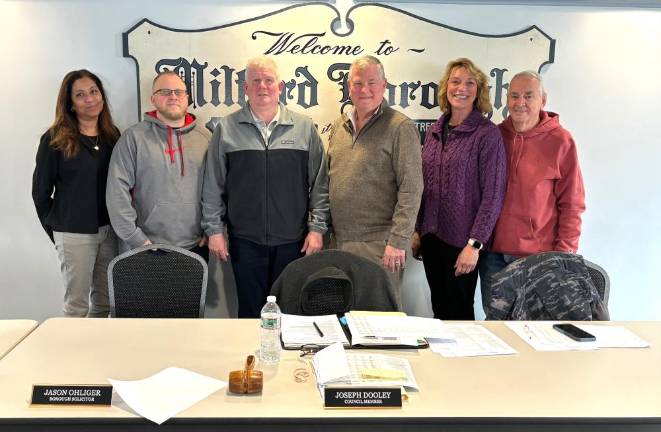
x: 265, y: 188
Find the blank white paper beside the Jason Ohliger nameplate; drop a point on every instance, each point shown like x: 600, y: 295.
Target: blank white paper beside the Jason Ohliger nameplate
x: 166, y: 393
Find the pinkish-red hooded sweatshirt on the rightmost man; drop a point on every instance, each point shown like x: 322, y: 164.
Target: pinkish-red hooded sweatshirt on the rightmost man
x: 545, y: 195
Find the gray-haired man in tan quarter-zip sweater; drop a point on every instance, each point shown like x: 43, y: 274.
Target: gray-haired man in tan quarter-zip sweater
x: 375, y: 173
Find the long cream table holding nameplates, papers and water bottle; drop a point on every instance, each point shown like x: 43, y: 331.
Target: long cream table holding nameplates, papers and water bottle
x: 603, y: 390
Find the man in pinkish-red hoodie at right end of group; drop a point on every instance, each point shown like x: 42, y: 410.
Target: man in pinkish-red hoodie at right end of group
x: 545, y: 195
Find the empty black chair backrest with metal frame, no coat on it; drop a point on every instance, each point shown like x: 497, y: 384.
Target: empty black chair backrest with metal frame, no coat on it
x: 157, y: 281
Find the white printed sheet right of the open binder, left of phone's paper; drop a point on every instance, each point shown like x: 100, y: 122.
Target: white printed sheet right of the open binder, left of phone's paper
x: 470, y: 340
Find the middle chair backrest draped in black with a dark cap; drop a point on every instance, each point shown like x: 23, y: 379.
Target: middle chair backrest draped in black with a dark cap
x: 332, y: 282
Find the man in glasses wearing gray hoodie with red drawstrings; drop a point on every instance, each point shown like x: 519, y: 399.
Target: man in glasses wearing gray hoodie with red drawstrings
x: 156, y: 171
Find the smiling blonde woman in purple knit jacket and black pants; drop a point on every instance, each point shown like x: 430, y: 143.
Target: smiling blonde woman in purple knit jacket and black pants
x: 463, y: 165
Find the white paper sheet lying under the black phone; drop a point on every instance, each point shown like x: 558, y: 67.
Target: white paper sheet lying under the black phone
x: 542, y: 337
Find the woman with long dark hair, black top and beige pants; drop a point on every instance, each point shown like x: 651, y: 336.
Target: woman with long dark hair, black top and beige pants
x: 69, y: 187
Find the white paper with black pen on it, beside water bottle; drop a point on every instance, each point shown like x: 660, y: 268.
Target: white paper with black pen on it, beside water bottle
x: 299, y: 330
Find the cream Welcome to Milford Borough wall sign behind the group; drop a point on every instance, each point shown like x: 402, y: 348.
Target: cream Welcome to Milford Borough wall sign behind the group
x: 314, y: 44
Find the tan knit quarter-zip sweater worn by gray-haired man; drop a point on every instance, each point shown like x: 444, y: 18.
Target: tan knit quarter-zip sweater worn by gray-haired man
x: 375, y: 182
